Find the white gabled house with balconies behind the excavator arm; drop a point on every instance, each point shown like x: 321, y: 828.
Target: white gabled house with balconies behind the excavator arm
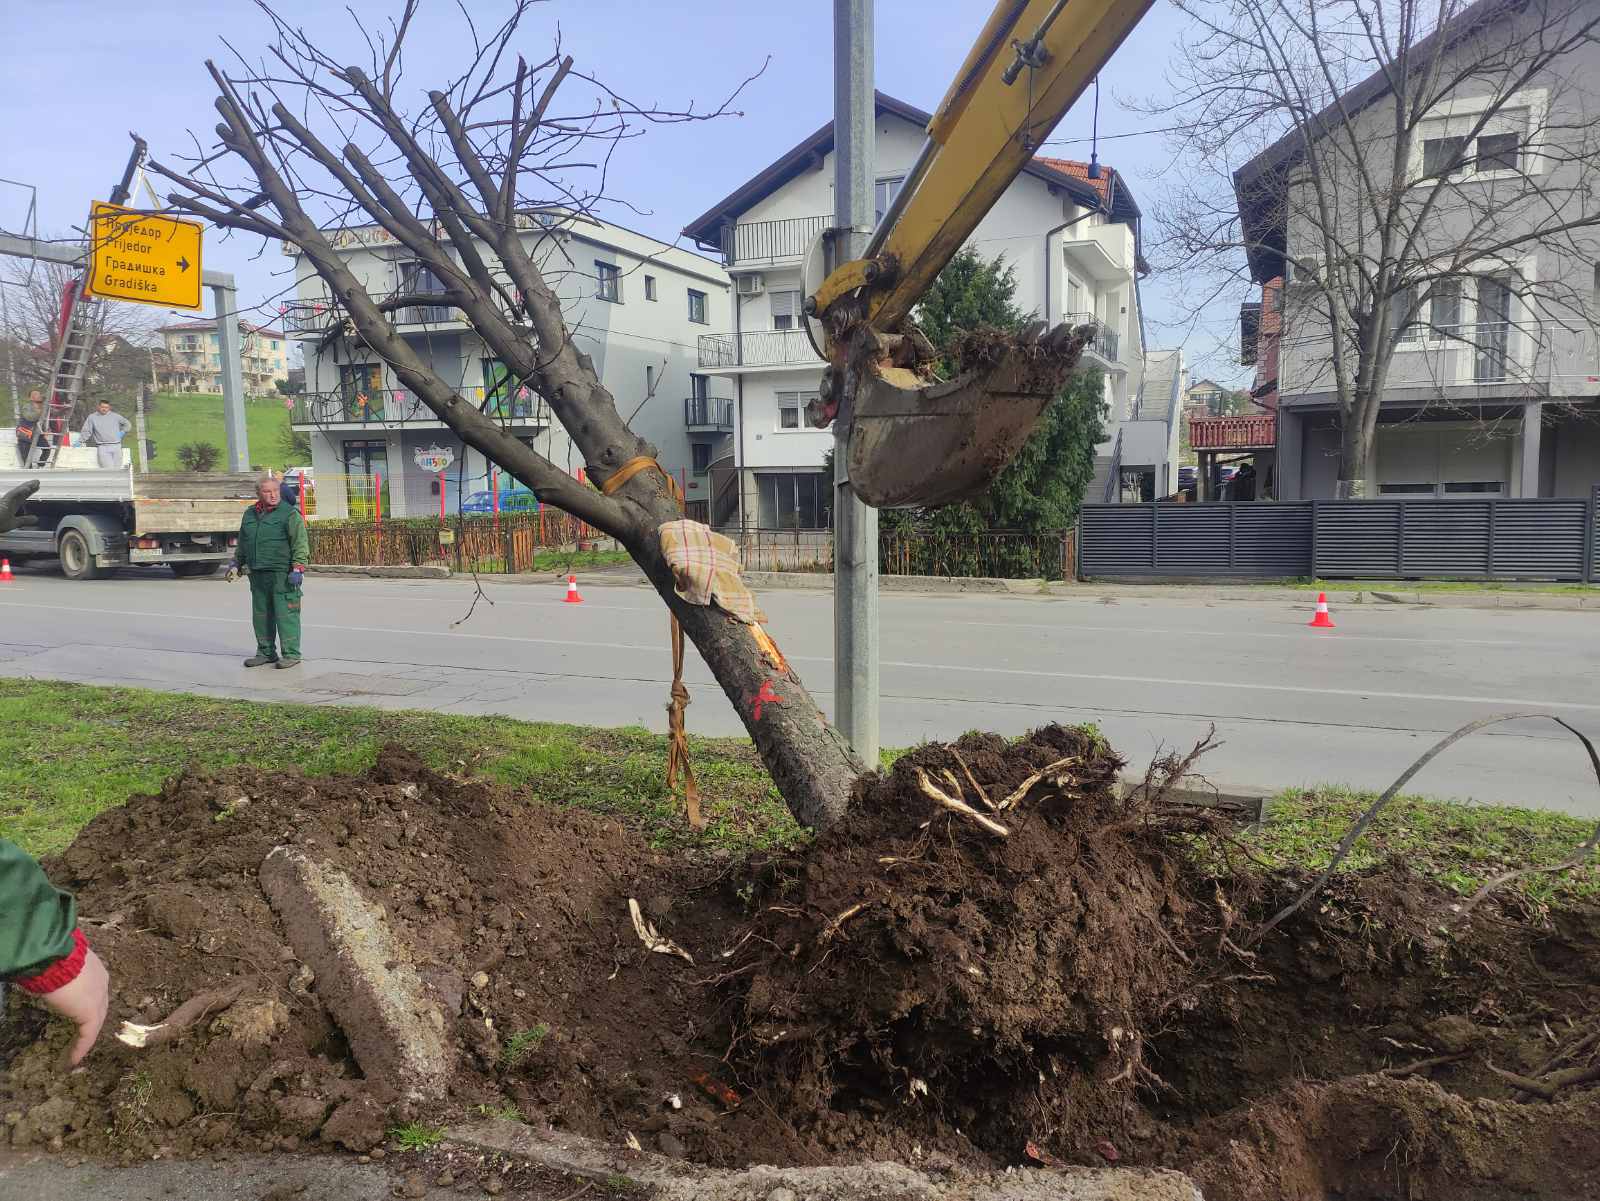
x: 1071, y: 239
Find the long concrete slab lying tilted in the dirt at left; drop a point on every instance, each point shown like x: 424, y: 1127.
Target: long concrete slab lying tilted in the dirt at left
x: 364, y: 975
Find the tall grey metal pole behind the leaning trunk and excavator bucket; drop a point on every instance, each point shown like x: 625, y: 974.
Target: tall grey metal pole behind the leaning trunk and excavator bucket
x: 855, y: 525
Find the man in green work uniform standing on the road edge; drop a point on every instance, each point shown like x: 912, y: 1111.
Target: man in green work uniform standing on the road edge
x: 273, y: 551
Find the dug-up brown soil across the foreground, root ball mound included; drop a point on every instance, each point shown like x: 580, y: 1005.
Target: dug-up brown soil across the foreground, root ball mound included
x: 911, y: 986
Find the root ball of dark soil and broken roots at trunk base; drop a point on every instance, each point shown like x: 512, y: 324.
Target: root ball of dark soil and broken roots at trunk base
x: 994, y: 972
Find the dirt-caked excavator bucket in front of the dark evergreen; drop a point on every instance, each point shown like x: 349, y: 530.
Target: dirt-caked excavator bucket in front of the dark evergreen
x: 921, y: 445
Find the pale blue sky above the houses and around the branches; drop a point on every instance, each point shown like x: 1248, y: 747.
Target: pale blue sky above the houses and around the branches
x: 79, y: 74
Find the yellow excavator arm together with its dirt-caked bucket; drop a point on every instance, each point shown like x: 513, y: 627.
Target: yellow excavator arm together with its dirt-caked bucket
x: 914, y: 439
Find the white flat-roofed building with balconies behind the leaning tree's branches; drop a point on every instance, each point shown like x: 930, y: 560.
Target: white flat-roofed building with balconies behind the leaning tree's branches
x: 634, y: 305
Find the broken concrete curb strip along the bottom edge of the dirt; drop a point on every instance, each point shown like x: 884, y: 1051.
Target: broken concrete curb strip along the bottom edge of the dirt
x: 676, y: 1181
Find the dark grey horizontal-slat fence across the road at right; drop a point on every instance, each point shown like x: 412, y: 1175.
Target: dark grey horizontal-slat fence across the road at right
x: 1482, y: 538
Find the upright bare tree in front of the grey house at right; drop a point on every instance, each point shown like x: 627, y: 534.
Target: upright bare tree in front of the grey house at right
x: 1423, y: 174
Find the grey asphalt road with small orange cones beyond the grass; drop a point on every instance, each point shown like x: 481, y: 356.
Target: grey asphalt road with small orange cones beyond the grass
x: 1292, y: 706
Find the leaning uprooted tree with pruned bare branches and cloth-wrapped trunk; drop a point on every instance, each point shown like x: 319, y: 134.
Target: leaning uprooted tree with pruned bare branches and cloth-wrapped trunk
x: 476, y: 183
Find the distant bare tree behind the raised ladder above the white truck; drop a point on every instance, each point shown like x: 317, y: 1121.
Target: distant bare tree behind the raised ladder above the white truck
x: 122, y: 349
